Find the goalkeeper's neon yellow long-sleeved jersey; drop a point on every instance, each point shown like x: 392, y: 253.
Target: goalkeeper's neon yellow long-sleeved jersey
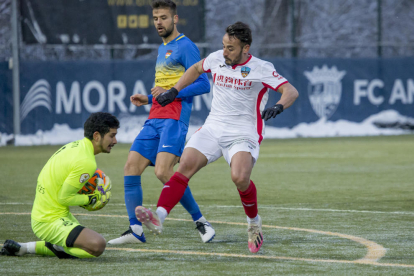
x: 73, y: 164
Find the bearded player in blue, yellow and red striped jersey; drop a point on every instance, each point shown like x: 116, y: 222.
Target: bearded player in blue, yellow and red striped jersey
x: 161, y: 141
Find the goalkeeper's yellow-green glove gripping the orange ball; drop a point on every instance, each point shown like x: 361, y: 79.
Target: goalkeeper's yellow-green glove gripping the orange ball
x: 100, y: 197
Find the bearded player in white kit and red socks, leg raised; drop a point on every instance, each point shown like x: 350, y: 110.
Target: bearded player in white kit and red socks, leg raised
x: 233, y: 128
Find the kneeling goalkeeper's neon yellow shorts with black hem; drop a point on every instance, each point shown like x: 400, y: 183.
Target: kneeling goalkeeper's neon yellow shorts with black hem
x: 62, y: 232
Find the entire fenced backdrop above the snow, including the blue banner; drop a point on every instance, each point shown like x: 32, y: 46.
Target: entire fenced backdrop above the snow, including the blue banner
x: 349, y: 59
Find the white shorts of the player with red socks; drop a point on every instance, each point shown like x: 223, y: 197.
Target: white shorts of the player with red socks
x: 216, y: 140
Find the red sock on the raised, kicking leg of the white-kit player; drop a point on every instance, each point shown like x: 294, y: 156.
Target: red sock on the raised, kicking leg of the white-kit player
x: 173, y: 191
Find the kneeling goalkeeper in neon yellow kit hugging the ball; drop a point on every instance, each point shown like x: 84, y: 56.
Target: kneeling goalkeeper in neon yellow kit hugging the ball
x: 66, y: 172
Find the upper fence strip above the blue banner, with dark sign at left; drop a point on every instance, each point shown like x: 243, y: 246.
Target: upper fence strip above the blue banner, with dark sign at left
x: 122, y: 29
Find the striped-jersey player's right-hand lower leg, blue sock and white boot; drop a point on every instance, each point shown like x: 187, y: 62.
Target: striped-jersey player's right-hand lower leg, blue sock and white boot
x: 203, y: 227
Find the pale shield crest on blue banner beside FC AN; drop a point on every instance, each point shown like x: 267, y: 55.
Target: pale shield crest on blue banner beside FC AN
x: 324, y: 89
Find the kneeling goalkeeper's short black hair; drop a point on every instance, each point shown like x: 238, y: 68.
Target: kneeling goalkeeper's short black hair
x: 101, y: 122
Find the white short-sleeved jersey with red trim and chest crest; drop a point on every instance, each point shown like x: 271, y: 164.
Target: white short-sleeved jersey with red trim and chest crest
x: 240, y: 91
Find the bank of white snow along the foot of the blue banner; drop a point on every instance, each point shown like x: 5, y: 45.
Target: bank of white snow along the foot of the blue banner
x: 131, y: 126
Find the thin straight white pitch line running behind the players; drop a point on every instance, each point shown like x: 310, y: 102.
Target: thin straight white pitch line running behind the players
x: 265, y: 207
